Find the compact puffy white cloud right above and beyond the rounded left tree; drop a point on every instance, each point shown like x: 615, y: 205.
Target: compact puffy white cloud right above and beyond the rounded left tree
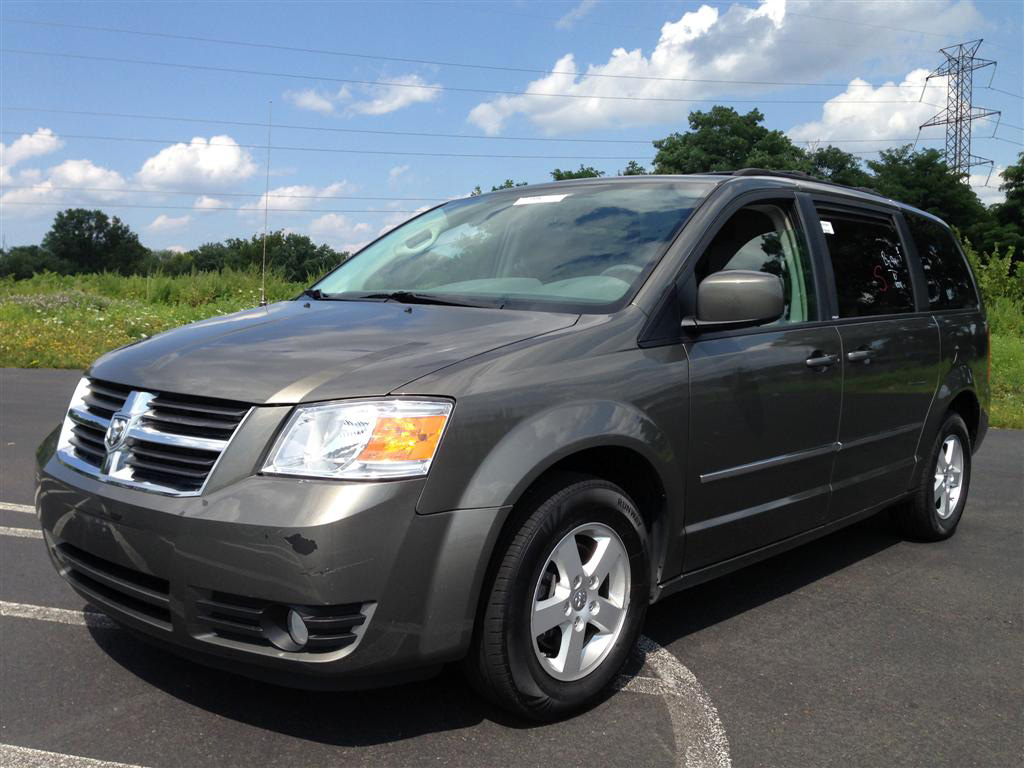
x: 217, y: 161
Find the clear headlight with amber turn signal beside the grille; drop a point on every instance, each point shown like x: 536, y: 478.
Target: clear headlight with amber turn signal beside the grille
x: 361, y: 440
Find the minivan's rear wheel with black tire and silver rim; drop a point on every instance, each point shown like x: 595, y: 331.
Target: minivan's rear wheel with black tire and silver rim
x: 936, y: 507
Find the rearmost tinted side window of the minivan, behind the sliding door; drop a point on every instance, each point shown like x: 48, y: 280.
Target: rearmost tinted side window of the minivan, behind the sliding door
x: 947, y: 275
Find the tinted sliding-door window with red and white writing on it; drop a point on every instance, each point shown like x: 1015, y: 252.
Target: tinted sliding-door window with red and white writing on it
x: 872, y: 276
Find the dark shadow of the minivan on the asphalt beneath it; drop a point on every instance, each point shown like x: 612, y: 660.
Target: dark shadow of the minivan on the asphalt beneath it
x: 447, y: 703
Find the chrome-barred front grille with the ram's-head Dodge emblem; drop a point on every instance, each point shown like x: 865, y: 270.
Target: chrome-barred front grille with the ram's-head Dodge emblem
x: 163, y: 443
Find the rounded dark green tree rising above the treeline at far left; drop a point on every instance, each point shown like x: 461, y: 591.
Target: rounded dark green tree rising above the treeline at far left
x: 91, y: 242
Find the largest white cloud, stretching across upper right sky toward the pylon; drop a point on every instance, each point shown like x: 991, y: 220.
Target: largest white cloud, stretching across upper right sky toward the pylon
x: 774, y: 42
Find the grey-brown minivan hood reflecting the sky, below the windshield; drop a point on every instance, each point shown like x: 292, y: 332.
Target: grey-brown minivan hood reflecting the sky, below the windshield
x: 297, y: 352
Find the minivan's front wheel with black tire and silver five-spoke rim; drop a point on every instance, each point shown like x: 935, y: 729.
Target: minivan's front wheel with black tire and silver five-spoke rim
x: 520, y: 671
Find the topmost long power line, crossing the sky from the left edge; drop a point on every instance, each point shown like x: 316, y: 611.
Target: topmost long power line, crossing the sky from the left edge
x: 435, y: 63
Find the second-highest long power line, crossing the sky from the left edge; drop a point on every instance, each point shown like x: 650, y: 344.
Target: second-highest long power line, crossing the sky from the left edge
x: 439, y: 89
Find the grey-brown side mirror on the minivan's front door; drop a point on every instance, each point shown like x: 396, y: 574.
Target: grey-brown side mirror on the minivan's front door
x: 738, y: 298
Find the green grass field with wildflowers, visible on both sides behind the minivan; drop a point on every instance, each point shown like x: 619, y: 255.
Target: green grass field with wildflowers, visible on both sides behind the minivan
x: 68, y: 322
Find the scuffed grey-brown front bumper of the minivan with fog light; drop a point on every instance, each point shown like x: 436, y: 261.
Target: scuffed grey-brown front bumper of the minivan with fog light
x: 404, y: 586
